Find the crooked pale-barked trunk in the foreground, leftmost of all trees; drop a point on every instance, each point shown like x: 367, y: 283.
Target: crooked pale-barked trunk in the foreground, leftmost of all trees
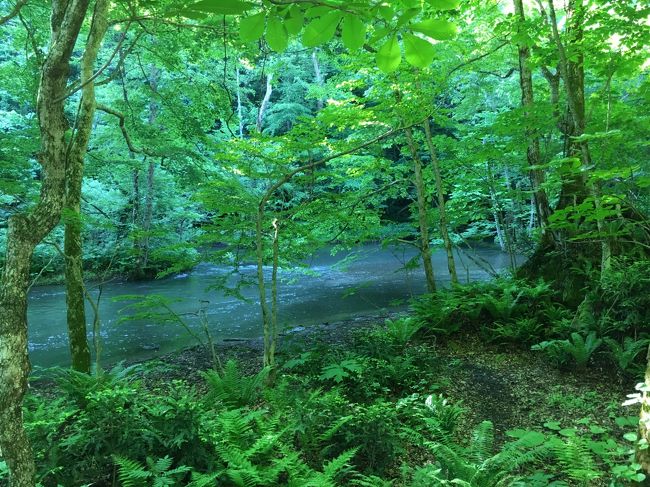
x: 26, y: 230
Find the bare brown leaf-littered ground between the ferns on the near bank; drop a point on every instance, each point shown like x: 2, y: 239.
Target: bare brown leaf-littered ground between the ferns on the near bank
x: 508, y: 385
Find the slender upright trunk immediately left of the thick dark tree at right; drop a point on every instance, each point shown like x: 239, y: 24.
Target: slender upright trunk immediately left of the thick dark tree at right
x: 533, y: 153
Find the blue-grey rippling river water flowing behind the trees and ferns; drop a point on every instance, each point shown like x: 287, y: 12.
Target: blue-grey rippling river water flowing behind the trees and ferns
x: 371, y: 280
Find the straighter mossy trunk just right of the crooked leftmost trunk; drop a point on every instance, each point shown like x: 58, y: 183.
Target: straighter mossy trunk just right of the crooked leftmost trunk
x: 75, y: 299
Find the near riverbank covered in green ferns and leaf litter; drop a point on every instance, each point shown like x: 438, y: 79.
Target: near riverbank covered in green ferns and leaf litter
x: 356, y: 400
